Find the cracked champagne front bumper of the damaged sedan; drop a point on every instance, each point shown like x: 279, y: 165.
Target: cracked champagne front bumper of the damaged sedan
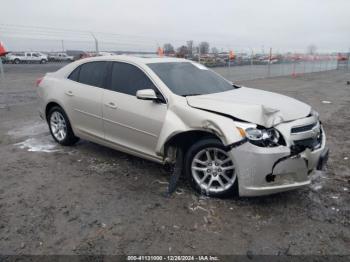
x: 263, y: 171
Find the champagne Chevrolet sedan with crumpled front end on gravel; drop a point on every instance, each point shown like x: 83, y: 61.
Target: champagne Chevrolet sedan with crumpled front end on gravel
x: 223, y: 136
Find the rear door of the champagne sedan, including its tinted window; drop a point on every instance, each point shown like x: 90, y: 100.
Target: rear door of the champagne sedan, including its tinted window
x: 84, y: 98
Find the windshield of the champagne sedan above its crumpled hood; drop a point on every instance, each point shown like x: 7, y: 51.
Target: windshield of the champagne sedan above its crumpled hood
x: 186, y: 78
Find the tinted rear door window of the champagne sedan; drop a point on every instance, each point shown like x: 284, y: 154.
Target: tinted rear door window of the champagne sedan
x: 93, y: 73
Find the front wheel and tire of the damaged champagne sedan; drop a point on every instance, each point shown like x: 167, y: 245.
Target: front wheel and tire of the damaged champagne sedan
x: 217, y: 174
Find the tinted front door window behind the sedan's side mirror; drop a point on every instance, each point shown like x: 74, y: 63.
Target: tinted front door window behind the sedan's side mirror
x: 128, y: 79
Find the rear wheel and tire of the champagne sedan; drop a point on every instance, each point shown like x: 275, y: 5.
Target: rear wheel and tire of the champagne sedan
x: 60, y: 127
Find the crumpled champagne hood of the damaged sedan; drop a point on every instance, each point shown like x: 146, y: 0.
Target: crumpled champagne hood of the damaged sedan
x: 256, y: 106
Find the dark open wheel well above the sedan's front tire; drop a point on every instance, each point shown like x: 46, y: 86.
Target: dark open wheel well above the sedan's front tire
x: 186, y: 139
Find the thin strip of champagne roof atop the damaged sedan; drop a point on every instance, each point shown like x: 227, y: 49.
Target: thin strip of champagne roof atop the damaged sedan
x: 134, y: 59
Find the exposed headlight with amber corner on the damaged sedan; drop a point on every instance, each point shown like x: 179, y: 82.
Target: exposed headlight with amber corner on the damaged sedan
x: 263, y: 137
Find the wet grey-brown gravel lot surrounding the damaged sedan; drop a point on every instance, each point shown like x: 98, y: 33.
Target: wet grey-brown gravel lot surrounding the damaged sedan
x: 89, y: 199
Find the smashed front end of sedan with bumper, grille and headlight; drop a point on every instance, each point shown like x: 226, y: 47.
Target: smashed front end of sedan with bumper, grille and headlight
x: 279, y: 158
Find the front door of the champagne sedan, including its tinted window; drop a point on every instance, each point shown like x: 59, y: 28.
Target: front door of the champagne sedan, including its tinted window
x: 130, y: 122
